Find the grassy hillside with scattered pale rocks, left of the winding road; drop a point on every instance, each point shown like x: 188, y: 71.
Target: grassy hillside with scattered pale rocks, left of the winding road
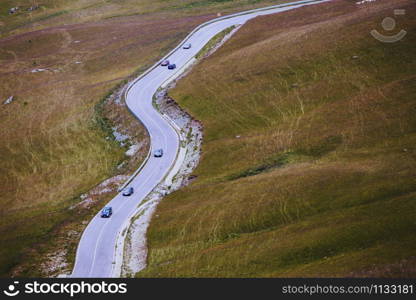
x: 52, y: 148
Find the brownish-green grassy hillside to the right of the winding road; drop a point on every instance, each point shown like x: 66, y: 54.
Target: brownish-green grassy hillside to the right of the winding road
x: 309, y: 157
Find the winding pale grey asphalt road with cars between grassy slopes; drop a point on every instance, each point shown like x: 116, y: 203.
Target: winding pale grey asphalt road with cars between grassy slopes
x: 96, y: 250
